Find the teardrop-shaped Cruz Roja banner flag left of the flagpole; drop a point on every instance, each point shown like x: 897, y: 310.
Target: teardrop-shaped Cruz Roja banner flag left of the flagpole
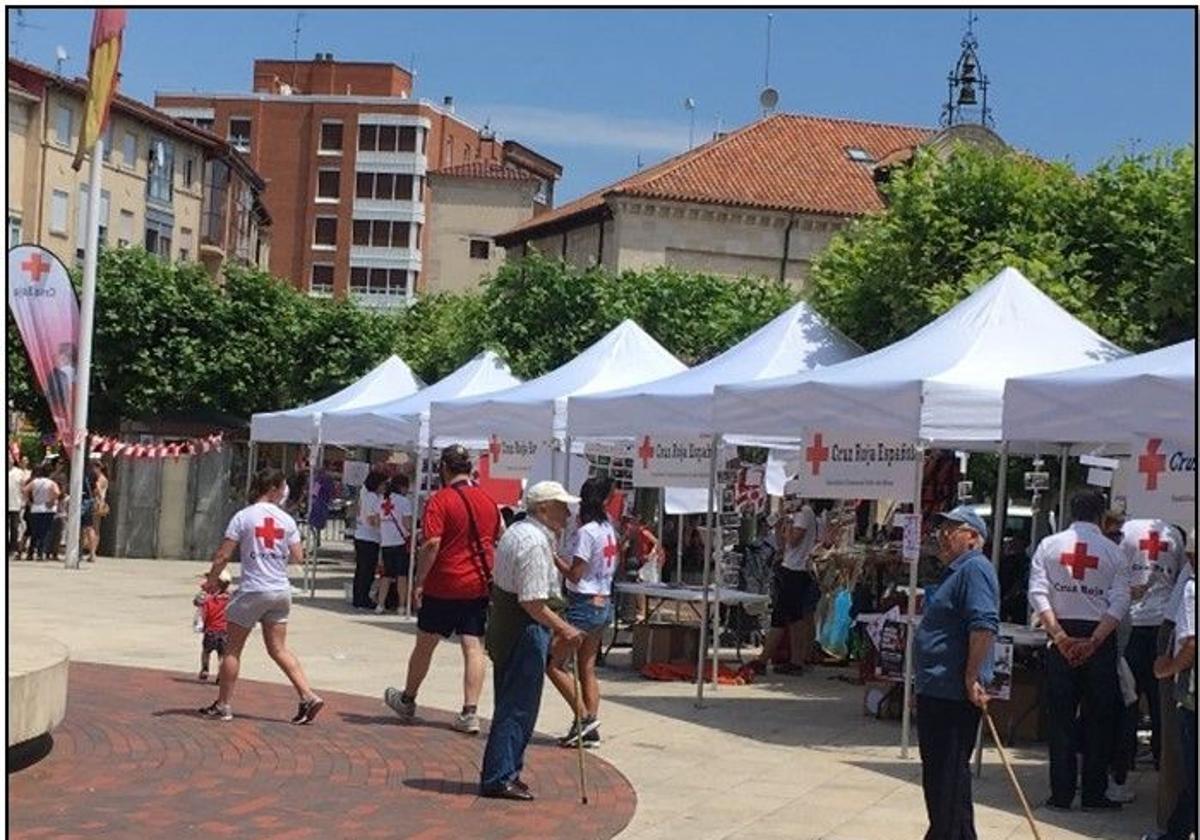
x: 47, y: 314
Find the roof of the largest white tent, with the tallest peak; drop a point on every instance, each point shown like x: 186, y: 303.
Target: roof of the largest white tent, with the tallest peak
x: 944, y: 383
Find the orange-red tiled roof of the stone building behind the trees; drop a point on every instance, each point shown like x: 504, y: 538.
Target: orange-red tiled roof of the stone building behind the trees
x: 788, y: 163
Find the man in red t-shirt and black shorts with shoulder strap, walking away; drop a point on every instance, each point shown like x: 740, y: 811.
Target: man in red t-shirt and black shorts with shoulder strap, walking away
x: 453, y: 584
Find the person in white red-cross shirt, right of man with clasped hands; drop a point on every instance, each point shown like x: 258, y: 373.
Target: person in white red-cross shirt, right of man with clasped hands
x: 1156, y: 554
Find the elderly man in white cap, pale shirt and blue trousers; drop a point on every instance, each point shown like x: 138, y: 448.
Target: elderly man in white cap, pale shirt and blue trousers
x: 526, y: 589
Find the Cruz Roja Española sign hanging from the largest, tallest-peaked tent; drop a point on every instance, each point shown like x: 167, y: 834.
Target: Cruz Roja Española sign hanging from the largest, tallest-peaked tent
x: 857, y: 465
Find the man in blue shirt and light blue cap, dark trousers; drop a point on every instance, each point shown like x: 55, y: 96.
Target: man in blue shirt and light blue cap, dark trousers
x: 953, y: 665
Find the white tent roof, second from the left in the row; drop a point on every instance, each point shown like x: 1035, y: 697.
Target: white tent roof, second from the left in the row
x: 406, y: 421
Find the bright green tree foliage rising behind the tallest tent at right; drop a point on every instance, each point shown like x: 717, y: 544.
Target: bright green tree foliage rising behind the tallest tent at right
x: 1115, y: 248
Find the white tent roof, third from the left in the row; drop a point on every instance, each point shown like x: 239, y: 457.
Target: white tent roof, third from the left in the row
x: 626, y: 357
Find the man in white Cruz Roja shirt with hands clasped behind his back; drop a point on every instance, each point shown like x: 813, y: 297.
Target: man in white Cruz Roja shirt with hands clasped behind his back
x: 1079, y: 586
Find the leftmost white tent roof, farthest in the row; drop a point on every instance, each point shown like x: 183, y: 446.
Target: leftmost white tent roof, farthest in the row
x: 389, y: 381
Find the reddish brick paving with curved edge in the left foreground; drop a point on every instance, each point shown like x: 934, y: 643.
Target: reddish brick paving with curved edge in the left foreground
x: 134, y: 760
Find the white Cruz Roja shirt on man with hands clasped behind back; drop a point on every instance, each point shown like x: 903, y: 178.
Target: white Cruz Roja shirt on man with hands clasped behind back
x: 1081, y: 574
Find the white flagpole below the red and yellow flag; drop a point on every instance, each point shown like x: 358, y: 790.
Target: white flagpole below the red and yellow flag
x: 83, y: 374
